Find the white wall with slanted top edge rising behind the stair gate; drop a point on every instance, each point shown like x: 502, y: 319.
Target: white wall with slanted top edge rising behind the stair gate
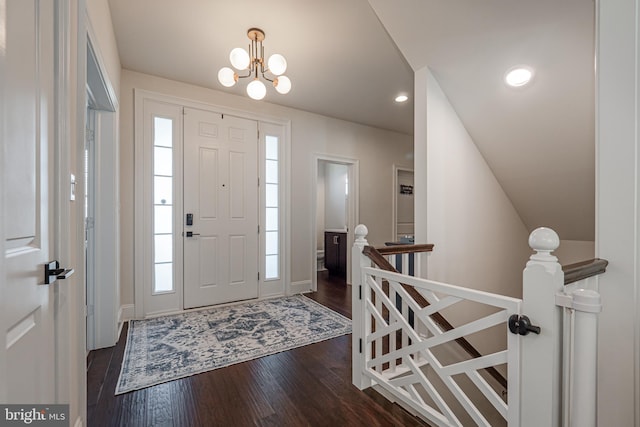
x: 480, y: 241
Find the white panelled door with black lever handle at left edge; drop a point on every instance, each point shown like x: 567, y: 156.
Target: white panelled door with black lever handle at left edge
x: 28, y: 318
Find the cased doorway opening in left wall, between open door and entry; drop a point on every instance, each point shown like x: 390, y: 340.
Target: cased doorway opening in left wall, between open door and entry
x: 100, y: 201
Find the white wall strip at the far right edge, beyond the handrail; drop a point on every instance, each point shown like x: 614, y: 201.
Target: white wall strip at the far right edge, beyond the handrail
x: 617, y: 215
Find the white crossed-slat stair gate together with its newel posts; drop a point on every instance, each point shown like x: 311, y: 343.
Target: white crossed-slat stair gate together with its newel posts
x: 408, y: 359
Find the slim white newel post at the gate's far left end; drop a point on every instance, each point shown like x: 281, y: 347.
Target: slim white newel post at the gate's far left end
x: 358, y: 260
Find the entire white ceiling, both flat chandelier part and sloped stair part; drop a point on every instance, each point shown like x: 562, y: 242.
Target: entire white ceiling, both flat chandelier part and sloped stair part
x: 342, y: 62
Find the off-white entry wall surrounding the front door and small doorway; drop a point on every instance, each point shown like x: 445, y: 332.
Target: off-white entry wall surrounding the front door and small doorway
x: 376, y: 149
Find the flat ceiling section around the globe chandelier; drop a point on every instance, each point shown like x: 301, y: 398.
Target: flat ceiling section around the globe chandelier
x: 341, y: 62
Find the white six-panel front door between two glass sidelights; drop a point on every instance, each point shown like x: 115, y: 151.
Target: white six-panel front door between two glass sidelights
x: 221, y: 194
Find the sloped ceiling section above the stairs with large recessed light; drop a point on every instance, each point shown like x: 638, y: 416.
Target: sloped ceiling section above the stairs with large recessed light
x: 538, y: 140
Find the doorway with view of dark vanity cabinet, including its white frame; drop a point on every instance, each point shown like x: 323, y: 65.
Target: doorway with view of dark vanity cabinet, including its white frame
x: 335, y: 214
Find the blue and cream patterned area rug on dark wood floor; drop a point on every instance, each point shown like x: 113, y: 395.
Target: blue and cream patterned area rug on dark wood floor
x: 173, y: 347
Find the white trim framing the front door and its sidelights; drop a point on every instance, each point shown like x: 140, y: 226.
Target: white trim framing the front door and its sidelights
x: 140, y: 95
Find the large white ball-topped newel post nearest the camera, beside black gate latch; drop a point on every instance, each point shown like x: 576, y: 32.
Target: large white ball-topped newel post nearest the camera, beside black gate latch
x: 541, y: 360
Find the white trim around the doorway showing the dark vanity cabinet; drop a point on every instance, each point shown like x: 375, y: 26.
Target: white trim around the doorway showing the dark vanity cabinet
x: 353, y: 208
